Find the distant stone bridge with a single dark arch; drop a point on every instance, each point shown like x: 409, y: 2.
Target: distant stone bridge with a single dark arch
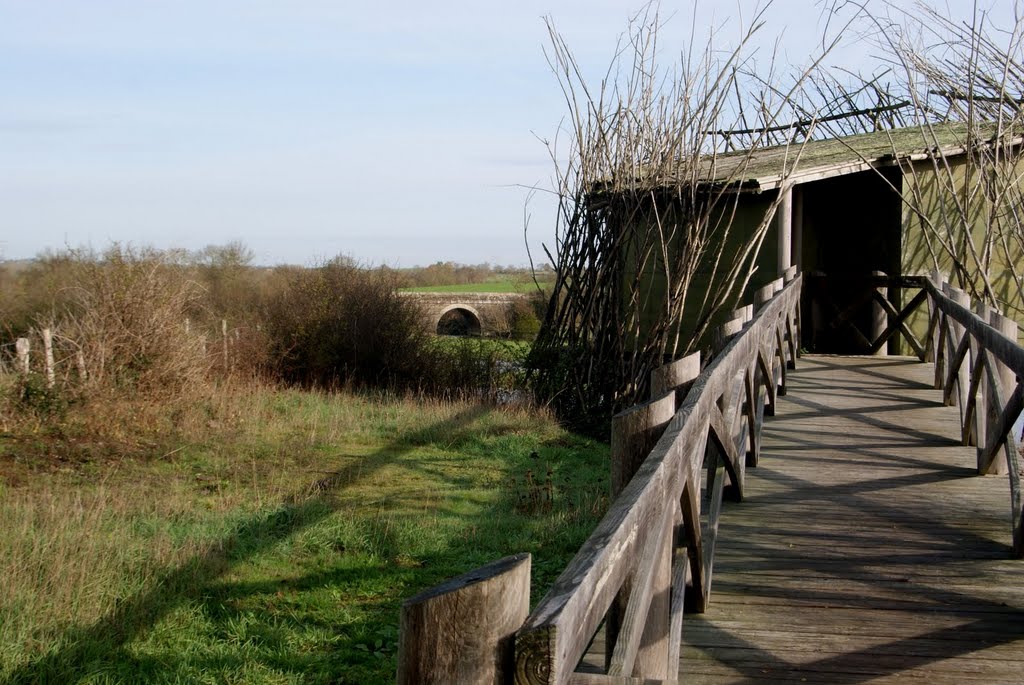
x: 466, y: 314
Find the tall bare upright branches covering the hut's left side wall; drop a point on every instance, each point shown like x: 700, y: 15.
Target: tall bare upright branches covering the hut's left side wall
x: 648, y: 251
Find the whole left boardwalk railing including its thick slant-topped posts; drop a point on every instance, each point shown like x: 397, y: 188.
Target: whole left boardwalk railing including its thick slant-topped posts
x: 652, y: 558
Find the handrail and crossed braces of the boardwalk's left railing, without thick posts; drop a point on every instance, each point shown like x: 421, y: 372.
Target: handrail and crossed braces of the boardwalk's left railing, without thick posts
x: 657, y: 516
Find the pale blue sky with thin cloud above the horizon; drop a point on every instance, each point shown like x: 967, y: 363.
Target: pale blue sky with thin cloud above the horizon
x: 398, y: 133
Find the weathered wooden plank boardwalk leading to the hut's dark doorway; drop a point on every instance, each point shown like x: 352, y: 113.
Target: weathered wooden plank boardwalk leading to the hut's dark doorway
x: 867, y: 550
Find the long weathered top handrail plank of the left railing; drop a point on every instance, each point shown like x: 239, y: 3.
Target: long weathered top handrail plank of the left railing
x: 557, y: 634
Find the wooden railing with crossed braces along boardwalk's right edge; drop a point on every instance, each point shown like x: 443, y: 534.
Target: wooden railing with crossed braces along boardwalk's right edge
x: 980, y: 368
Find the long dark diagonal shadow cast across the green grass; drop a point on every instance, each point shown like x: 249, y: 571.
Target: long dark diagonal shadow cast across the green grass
x: 100, y: 651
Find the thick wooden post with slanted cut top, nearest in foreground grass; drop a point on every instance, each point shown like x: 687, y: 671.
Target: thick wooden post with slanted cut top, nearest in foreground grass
x: 463, y: 631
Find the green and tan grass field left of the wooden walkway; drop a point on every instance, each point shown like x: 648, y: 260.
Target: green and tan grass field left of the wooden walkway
x: 264, y: 536
